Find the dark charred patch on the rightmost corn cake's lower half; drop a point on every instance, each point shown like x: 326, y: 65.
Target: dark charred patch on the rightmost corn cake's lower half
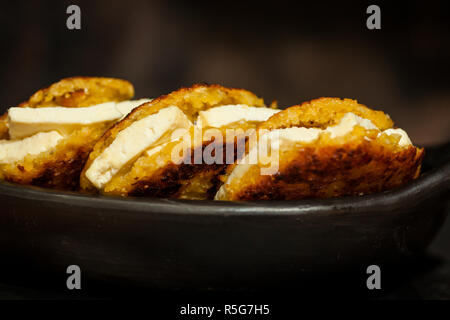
x: 318, y: 174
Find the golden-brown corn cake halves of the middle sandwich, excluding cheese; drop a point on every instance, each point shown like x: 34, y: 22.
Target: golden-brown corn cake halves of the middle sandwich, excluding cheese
x: 157, y: 175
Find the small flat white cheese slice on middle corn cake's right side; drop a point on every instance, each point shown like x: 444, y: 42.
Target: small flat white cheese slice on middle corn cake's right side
x: 224, y: 115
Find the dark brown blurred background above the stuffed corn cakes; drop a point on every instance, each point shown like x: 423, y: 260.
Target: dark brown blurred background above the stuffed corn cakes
x: 288, y: 51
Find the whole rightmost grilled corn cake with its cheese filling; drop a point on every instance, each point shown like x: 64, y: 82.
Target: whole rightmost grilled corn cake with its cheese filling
x: 324, y: 148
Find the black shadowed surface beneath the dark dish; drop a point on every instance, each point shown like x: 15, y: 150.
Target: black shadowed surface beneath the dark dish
x: 403, y: 280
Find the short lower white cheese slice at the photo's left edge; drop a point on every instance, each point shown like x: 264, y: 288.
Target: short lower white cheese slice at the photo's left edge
x: 15, y: 150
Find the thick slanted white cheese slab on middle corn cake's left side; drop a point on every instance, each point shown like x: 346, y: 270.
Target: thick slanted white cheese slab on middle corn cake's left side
x: 133, y: 140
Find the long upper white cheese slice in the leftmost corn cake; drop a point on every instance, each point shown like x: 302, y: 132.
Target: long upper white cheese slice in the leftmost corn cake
x: 24, y: 122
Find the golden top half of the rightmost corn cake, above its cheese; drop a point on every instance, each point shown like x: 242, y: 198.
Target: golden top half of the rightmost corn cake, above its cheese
x: 323, y: 112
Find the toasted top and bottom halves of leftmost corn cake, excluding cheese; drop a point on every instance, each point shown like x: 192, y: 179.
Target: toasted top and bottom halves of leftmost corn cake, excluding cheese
x: 61, y: 166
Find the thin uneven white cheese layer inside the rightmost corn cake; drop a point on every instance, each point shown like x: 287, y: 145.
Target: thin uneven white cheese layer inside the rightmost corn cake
x: 298, y: 134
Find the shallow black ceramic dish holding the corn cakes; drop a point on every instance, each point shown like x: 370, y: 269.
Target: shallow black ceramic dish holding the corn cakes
x: 171, y: 243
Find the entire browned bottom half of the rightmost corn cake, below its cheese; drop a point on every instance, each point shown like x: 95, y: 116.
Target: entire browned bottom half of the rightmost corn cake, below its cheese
x: 349, y: 165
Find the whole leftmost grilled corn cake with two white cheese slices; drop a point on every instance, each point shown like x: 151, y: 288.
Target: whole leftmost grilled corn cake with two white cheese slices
x: 47, y: 139
